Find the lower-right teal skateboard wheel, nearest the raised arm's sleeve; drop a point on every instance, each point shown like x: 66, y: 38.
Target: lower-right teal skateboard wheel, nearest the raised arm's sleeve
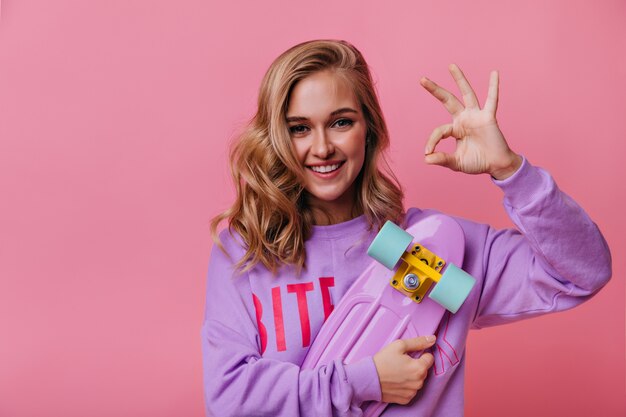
x: 453, y: 288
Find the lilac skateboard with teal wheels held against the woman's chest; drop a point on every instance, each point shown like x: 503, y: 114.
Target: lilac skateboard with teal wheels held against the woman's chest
x: 404, y: 293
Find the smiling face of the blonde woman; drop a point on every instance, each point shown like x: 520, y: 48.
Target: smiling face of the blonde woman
x: 328, y: 132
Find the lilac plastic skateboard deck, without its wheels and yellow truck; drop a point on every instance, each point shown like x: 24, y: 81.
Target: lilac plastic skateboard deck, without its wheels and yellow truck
x: 373, y: 313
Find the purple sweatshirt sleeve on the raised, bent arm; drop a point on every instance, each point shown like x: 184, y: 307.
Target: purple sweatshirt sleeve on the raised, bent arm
x: 554, y: 261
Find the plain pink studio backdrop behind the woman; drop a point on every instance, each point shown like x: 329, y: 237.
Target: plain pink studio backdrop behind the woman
x: 114, y: 122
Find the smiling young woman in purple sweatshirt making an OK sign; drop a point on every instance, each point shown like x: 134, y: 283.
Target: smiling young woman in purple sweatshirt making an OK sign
x: 312, y: 192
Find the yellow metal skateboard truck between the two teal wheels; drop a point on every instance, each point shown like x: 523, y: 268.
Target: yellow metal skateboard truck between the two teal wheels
x: 419, y: 270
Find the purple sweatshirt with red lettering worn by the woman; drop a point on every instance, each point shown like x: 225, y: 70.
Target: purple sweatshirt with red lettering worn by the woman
x: 258, y: 328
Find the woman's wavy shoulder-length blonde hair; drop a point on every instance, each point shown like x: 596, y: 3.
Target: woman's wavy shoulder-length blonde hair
x: 270, y: 211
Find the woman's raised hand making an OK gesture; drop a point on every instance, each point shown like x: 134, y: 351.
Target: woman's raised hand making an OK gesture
x: 480, y: 145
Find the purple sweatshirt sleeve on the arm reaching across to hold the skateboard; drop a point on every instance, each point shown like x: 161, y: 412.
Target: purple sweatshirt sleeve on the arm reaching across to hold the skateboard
x: 238, y: 381
